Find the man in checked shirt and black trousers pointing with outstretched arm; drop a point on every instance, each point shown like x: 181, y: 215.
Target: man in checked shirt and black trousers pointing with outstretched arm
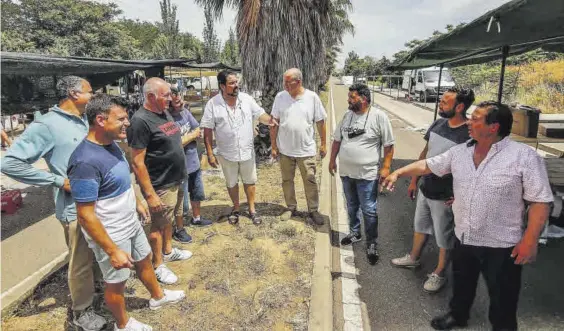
x: 495, y: 179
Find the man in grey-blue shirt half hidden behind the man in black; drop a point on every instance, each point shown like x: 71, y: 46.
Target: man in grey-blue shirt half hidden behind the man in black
x: 193, y: 185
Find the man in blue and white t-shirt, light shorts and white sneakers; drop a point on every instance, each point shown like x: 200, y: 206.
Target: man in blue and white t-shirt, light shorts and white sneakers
x: 107, y: 208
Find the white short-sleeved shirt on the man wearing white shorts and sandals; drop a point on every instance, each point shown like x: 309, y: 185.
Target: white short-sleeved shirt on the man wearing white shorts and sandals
x: 233, y: 127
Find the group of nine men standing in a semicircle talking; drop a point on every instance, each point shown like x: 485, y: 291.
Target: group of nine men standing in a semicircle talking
x: 474, y: 181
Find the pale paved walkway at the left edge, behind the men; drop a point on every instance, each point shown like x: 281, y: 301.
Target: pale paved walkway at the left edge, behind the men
x: 33, y: 243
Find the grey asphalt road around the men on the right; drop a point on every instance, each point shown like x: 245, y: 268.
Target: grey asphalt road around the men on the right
x: 394, y: 297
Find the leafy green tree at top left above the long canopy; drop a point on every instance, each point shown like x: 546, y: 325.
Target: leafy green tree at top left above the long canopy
x: 66, y: 27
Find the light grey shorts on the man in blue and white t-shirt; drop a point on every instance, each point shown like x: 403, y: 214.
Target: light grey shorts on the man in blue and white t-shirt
x: 137, y: 245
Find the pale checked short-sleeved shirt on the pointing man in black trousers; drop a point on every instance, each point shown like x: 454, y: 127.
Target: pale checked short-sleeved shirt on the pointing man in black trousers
x: 489, y: 201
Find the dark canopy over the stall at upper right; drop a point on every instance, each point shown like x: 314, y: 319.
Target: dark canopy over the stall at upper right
x: 523, y: 25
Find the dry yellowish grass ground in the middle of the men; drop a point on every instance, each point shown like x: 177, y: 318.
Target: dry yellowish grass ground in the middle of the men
x: 241, y: 277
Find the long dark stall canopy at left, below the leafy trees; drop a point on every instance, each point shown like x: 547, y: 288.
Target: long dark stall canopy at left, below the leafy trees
x: 30, y: 64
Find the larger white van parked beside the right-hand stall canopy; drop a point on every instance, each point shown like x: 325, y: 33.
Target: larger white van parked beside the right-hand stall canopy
x: 423, y: 82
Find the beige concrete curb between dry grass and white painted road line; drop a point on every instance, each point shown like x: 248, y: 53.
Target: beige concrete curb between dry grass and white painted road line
x: 321, y: 302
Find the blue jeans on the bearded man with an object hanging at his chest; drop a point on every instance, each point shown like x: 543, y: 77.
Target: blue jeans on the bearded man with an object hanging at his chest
x: 362, y: 194
